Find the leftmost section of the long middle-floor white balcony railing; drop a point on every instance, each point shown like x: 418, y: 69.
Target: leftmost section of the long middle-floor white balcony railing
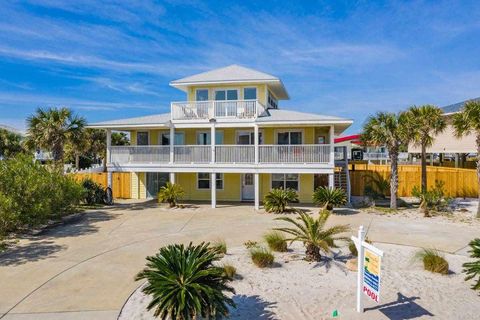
x: 139, y: 154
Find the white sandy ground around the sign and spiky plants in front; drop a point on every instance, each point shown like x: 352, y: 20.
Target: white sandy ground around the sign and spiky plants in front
x: 296, y: 289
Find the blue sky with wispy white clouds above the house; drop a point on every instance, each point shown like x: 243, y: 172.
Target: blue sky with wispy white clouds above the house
x: 108, y: 60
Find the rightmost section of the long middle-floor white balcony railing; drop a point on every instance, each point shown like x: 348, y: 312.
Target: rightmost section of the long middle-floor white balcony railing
x: 294, y: 153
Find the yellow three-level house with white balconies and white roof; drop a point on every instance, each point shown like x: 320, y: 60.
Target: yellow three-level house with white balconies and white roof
x: 256, y: 146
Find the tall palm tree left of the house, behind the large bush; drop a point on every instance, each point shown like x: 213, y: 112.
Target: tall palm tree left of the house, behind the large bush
x: 51, y: 129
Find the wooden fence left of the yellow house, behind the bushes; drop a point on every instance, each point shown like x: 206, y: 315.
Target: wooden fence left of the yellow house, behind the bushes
x: 120, y: 182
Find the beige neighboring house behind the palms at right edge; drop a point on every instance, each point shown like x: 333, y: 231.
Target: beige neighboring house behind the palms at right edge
x: 447, y: 143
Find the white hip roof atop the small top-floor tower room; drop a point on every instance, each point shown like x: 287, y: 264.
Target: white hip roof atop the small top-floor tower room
x: 233, y: 74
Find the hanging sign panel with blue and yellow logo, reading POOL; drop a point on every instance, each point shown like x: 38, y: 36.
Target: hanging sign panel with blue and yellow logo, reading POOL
x: 371, y: 275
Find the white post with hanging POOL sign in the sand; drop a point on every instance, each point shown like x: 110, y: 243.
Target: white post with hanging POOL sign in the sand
x: 369, y: 265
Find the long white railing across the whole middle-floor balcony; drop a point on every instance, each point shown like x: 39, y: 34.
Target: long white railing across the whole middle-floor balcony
x: 224, y: 154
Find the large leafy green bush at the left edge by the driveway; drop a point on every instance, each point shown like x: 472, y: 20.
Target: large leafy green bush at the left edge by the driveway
x: 31, y: 194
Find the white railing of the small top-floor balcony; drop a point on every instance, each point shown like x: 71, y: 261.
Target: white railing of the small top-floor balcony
x: 234, y: 109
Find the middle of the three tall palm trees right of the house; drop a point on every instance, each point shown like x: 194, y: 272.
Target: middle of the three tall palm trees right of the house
x: 425, y: 122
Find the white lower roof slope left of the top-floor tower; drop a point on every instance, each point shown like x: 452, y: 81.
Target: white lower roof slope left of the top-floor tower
x: 155, y: 120
